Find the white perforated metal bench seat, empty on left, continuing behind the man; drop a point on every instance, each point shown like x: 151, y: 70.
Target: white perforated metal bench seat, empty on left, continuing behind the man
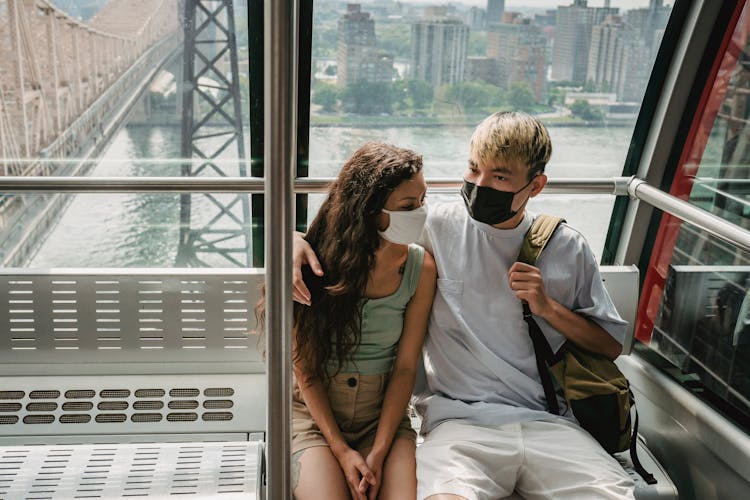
x: 150, y: 383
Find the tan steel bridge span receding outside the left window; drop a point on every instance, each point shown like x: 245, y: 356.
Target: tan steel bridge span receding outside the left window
x: 65, y: 89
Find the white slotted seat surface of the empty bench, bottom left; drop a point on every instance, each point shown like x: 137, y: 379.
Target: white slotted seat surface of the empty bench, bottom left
x: 198, y: 470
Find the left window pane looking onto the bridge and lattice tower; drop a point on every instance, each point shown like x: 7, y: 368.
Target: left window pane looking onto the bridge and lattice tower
x: 102, y: 88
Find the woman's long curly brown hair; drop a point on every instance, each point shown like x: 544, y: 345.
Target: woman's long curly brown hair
x: 344, y: 235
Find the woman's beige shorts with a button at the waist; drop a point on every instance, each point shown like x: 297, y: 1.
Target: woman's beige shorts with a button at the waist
x: 356, y: 401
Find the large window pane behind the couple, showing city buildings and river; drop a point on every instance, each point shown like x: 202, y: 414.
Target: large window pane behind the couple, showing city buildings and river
x: 422, y: 77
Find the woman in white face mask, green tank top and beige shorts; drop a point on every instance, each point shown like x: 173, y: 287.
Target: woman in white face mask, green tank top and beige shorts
x: 357, y: 345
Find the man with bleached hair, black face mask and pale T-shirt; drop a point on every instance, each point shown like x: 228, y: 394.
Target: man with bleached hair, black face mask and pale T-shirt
x: 486, y: 428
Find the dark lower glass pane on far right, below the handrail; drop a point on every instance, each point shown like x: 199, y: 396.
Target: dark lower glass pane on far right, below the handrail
x: 703, y: 323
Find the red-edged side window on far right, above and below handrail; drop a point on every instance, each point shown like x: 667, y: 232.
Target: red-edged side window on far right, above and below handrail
x: 695, y: 305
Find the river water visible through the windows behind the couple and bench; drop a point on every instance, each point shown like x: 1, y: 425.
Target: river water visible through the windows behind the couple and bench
x: 141, y: 230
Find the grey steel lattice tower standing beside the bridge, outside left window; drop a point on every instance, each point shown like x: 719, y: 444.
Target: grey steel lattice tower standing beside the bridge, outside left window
x: 218, y: 233
